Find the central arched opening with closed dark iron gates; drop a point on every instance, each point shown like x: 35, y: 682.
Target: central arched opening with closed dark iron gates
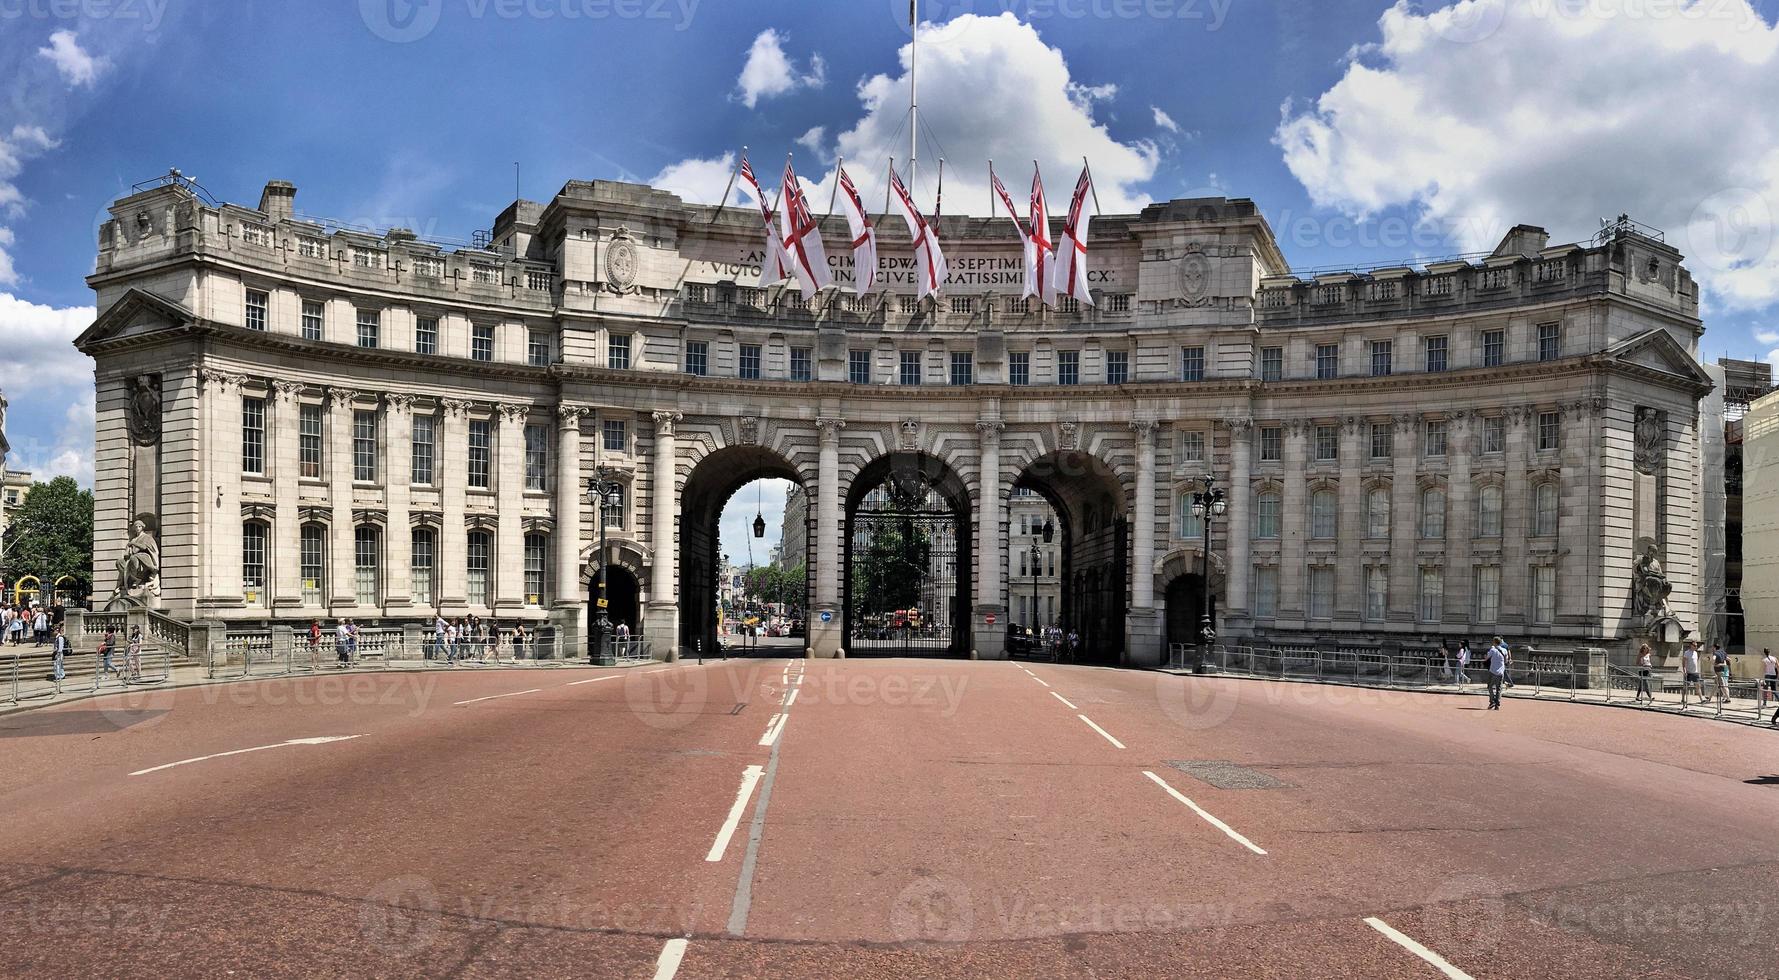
x: 908, y: 586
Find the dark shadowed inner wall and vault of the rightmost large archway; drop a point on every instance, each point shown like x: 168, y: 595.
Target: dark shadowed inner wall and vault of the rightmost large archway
x: 1093, y: 531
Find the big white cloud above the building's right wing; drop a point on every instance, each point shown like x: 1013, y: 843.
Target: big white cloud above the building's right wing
x: 1490, y: 113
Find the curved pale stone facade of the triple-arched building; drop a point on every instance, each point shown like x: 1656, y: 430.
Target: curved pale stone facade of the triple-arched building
x: 326, y: 422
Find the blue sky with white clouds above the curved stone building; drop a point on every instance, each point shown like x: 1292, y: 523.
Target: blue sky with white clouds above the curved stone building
x: 1367, y: 131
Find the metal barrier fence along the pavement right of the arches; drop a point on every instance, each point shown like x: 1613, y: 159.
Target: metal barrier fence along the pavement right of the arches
x: 1536, y: 677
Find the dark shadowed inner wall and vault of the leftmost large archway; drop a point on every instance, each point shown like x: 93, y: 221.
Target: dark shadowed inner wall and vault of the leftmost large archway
x: 711, y: 486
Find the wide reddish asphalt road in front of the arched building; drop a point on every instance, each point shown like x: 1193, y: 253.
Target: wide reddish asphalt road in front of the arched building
x: 926, y: 819
